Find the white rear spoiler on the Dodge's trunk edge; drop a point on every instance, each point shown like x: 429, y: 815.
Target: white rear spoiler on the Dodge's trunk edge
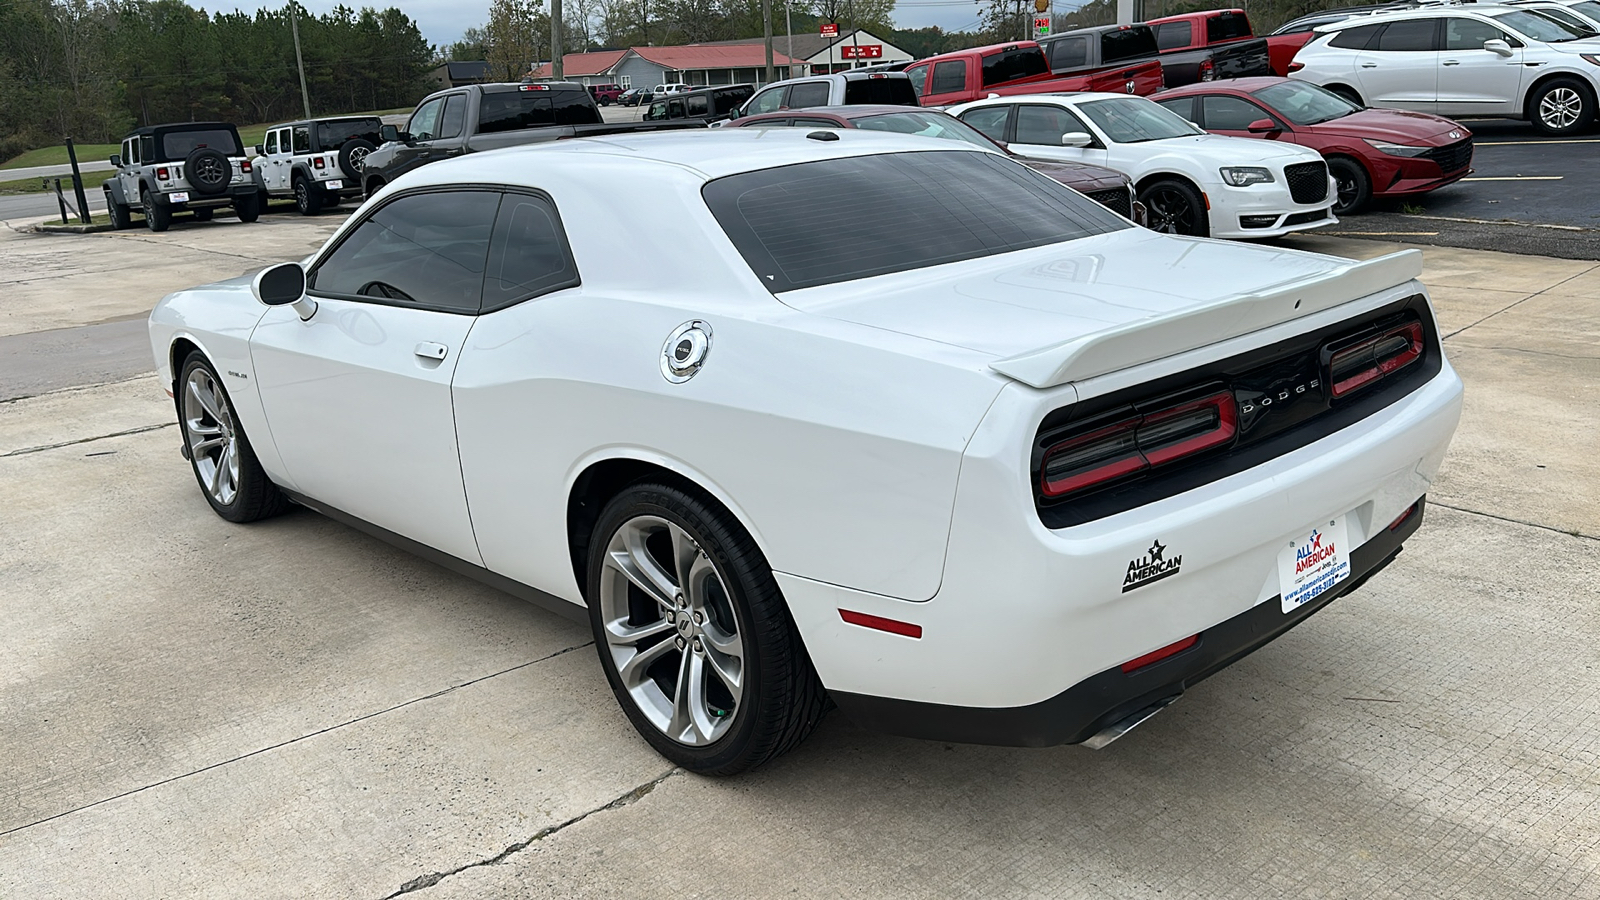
x: 1166, y: 335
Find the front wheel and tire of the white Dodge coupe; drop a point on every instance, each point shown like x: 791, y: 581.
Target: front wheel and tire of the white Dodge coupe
x: 218, y: 451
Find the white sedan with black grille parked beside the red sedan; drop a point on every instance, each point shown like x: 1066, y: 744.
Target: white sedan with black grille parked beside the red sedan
x: 1190, y: 182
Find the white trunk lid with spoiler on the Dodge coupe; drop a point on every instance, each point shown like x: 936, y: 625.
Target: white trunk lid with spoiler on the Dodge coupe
x: 1038, y: 303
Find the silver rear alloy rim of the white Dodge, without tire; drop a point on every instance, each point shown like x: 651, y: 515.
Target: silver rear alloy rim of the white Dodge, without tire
x: 671, y: 630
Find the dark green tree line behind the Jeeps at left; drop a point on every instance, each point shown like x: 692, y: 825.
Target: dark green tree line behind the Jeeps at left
x: 92, y: 70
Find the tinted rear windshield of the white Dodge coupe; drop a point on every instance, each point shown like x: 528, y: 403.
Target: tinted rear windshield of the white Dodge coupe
x: 906, y: 212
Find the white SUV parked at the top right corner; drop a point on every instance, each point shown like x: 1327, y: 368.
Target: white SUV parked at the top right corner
x: 1463, y: 63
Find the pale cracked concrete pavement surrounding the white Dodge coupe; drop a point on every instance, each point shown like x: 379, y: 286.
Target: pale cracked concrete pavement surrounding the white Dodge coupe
x: 297, y: 710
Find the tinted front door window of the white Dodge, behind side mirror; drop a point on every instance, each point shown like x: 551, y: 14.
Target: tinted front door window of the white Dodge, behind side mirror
x: 425, y: 251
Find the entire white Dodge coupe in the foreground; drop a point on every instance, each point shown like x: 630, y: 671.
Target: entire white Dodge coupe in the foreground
x: 897, y: 422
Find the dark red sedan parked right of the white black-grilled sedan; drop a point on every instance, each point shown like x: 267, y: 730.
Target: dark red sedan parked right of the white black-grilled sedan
x: 1372, y: 153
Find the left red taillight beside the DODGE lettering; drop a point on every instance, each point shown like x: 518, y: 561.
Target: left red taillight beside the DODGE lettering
x: 1138, y: 443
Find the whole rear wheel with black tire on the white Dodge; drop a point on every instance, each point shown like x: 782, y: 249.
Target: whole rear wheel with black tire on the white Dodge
x: 695, y: 637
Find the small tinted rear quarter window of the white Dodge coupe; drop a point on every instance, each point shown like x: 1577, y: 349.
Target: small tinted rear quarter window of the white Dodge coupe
x: 529, y: 254
